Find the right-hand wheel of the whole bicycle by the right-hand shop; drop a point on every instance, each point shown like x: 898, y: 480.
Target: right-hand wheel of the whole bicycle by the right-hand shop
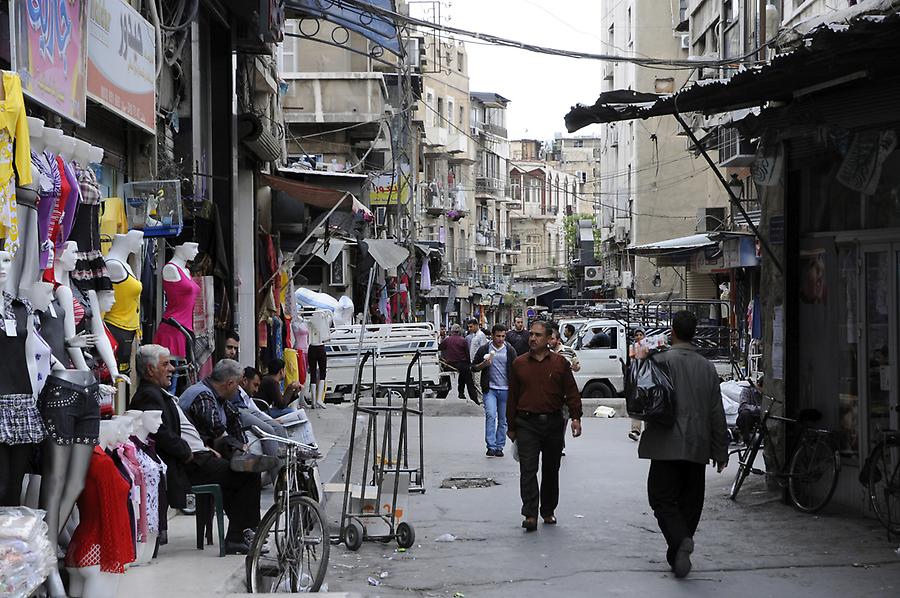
x: 813, y: 474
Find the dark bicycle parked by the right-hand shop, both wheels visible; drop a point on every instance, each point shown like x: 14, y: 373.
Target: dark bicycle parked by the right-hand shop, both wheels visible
x: 814, y: 467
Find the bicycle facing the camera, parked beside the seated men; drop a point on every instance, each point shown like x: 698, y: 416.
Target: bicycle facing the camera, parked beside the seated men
x: 290, y: 550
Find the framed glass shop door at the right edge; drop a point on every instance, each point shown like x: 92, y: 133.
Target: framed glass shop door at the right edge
x: 880, y: 274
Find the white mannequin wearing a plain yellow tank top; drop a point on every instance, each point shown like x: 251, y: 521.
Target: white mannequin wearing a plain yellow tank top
x: 123, y: 320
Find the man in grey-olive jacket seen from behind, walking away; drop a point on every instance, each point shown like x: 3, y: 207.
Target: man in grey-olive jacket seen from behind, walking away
x: 679, y: 454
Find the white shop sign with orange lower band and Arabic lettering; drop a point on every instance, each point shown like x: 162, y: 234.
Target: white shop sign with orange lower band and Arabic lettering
x: 122, y: 62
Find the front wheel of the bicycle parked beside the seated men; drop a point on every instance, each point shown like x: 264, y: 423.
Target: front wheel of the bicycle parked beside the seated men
x: 290, y: 550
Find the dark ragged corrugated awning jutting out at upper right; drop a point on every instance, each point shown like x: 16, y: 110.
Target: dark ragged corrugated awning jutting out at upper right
x: 829, y: 55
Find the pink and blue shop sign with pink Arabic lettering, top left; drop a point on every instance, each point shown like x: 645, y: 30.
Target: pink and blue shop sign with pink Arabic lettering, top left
x: 50, y: 54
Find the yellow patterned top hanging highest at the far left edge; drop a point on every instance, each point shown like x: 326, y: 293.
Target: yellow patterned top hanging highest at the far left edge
x: 15, y: 157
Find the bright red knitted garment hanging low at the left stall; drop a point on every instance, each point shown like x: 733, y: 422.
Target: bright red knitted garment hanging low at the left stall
x: 103, y: 536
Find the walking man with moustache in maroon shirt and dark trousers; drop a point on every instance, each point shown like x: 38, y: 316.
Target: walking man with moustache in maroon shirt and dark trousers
x: 541, y: 382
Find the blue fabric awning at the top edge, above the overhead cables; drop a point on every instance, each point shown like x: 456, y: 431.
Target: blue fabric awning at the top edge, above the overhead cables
x: 371, y: 24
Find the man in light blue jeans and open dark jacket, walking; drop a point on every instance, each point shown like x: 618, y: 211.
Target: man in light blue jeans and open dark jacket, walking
x: 495, y: 360
